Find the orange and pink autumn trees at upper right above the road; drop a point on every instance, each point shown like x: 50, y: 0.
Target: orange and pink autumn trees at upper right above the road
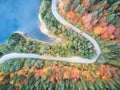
x: 100, y: 27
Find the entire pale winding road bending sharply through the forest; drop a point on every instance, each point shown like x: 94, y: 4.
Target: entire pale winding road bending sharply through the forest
x: 72, y: 59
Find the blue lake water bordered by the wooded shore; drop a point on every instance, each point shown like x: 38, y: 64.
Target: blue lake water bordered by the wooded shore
x: 20, y: 15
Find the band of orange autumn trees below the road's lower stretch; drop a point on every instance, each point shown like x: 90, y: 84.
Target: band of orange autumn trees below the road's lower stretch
x: 58, y: 73
